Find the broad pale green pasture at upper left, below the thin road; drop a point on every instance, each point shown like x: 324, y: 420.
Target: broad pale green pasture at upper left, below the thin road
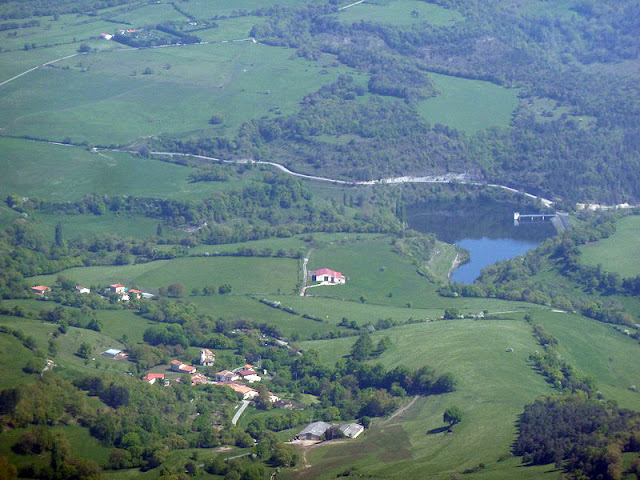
x: 105, y: 98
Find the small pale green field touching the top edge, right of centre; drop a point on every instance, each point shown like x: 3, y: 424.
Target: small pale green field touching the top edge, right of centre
x: 400, y: 12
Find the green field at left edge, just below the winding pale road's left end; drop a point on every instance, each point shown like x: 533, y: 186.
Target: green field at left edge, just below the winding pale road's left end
x: 61, y: 173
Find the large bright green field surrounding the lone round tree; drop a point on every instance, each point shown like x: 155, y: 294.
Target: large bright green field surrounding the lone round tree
x: 493, y: 387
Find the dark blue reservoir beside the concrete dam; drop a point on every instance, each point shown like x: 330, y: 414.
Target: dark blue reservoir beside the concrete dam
x: 484, y: 228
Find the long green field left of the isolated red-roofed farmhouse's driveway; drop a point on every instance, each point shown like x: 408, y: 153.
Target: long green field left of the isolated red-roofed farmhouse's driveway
x: 245, y: 275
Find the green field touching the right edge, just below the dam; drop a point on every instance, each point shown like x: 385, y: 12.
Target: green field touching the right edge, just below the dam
x: 619, y: 253
